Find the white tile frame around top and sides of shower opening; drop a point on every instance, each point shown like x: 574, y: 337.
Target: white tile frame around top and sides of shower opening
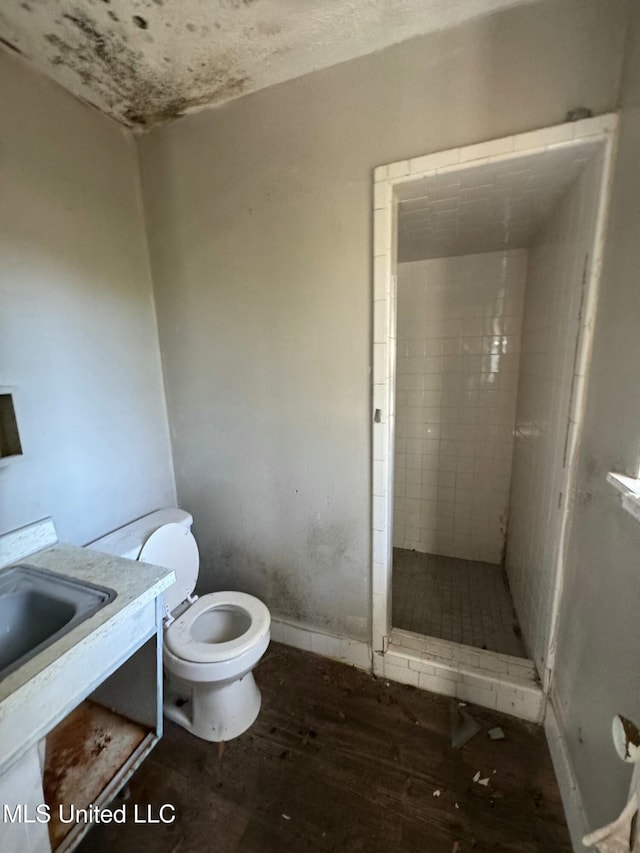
x: 385, y: 206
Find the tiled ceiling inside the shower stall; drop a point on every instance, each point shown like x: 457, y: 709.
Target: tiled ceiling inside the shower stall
x: 485, y: 208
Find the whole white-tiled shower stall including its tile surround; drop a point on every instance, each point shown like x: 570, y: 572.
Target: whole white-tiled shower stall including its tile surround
x: 495, y: 252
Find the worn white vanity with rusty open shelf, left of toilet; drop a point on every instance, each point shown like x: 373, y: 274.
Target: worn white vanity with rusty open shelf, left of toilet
x: 78, y: 717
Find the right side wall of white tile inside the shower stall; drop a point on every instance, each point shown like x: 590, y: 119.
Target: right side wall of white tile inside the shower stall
x: 557, y: 267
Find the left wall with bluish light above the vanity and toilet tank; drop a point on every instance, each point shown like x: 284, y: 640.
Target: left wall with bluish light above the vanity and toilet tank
x: 78, y: 336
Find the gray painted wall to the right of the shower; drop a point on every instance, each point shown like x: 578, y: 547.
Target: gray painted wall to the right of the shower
x: 598, y: 664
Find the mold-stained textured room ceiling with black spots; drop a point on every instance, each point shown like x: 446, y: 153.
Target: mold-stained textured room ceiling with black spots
x: 145, y: 61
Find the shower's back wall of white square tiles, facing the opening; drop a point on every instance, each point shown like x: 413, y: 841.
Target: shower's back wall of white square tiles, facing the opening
x: 458, y: 344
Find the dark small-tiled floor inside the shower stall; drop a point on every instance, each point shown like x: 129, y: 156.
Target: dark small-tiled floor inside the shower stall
x: 462, y: 601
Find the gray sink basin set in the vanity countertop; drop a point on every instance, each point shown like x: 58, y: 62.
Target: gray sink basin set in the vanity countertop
x: 38, y: 607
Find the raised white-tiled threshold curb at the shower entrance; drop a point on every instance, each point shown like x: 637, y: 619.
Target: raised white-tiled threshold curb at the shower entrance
x: 492, y: 680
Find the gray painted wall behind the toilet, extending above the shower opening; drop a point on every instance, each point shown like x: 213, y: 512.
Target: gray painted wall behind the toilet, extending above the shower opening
x: 259, y: 224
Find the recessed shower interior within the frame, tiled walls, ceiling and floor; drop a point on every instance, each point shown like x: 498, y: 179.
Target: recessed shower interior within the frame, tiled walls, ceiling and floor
x: 474, y: 403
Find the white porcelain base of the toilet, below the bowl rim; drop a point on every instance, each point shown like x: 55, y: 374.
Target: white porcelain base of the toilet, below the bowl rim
x: 213, y: 711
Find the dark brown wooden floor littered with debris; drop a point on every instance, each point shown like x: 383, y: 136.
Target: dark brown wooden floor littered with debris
x: 341, y: 761
